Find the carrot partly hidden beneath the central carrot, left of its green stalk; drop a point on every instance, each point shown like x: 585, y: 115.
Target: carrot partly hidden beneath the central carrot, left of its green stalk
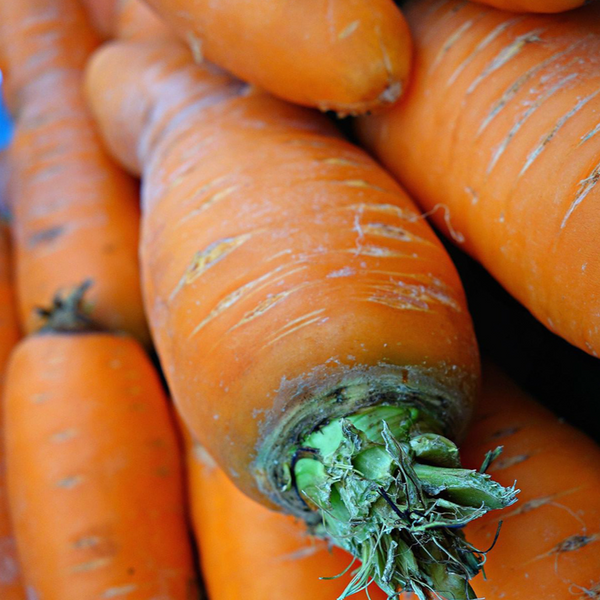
x: 248, y: 551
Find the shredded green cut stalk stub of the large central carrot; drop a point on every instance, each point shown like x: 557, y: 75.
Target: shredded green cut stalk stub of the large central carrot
x: 392, y: 492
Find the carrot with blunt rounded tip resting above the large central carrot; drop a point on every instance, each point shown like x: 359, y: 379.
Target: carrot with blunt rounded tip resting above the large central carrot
x: 350, y: 56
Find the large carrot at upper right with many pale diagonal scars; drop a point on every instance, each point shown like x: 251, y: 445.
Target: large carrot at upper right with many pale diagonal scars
x: 500, y: 138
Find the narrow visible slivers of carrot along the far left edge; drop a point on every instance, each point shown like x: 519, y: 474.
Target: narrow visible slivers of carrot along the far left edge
x: 11, y: 587
